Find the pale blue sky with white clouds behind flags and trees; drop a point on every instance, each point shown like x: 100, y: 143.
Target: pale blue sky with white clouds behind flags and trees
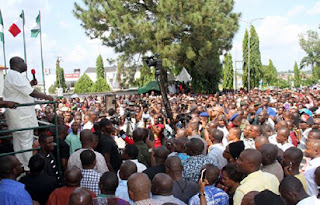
x: 63, y: 36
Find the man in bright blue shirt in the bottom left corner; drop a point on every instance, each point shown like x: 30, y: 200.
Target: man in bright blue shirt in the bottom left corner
x: 11, y: 191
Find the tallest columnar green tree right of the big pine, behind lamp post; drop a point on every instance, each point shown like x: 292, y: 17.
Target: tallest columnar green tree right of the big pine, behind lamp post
x: 255, y: 59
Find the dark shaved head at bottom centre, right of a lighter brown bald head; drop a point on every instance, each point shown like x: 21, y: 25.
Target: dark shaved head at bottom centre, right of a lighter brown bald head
x: 162, y: 184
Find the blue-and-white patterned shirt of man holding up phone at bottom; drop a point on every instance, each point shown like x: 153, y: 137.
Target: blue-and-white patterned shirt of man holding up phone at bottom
x: 213, y: 196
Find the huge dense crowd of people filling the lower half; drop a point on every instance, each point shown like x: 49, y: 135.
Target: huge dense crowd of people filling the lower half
x: 260, y: 147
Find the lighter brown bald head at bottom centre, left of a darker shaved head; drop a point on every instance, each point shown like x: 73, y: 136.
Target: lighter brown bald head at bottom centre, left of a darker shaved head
x: 139, y: 186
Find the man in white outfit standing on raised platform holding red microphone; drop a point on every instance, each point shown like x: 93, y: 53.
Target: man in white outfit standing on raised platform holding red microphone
x: 17, y: 88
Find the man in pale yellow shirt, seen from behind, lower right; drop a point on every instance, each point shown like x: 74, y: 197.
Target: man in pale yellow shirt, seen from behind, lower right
x: 249, y: 163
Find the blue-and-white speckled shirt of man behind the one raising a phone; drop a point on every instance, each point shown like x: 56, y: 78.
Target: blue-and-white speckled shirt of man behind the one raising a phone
x: 193, y: 166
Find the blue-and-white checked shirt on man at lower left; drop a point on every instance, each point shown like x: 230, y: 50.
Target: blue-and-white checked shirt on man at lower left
x: 91, y: 180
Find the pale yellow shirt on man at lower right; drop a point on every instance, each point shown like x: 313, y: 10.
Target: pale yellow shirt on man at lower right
x: 256, y: 181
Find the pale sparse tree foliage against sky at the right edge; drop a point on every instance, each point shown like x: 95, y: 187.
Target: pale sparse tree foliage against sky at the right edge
x: 310, y: 43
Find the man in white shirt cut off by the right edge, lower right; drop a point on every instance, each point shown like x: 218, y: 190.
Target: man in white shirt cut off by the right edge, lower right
x: 312, y: 151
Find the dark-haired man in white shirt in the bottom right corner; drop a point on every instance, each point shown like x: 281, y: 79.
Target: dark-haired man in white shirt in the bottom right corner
x: 293, y: 192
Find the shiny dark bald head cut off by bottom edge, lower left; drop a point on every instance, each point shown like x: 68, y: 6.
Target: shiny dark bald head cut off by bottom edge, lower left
x: 80, y: 196
